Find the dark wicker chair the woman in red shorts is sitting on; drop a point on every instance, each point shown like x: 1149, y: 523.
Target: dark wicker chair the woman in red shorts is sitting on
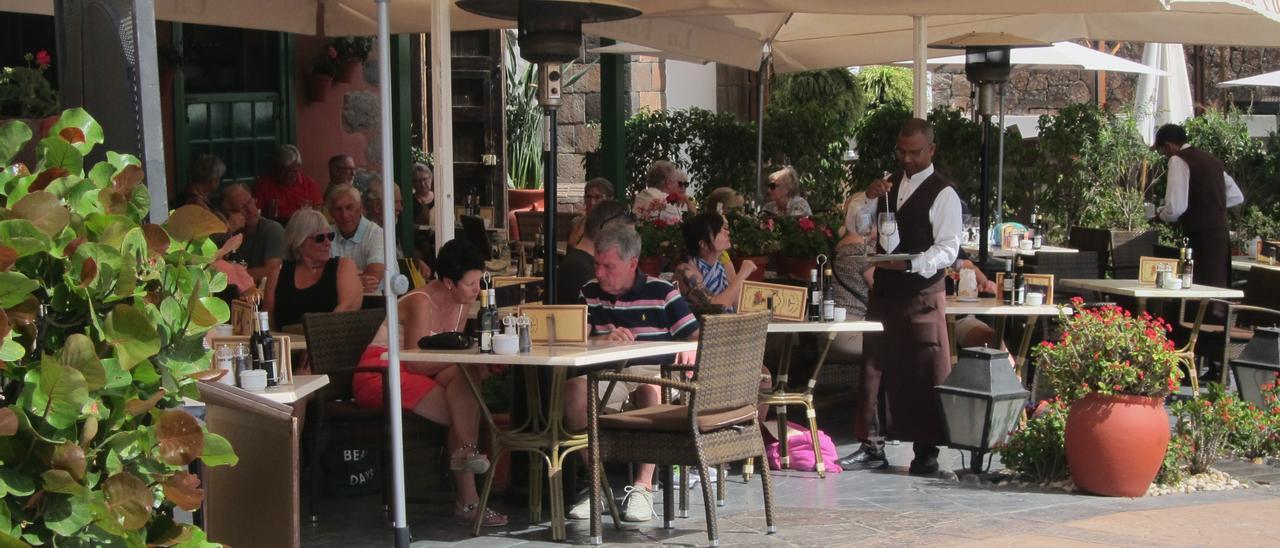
x: 336, y: 341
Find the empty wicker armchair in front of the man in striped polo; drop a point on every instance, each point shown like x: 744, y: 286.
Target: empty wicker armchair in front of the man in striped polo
x: 716, y: 427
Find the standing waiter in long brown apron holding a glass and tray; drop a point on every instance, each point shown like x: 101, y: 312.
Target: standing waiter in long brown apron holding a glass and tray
x: 912, y: 355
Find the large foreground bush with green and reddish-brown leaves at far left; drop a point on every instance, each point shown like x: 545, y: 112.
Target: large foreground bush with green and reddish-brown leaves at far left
x: 103, y: 318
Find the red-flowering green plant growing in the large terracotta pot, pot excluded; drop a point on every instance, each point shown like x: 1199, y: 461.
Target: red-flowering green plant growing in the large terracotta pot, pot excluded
x: 1110, y: 351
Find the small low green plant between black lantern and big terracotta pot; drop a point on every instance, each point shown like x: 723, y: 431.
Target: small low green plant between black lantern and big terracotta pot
x: 1039, y: 450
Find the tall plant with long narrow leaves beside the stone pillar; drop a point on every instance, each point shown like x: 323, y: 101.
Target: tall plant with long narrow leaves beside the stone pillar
x: 525, y: 117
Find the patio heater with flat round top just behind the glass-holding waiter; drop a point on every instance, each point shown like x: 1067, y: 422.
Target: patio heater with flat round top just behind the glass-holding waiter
x: 988, y: 68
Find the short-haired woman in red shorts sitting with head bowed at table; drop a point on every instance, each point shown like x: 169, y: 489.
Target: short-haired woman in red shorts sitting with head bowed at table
x: 437, y: 391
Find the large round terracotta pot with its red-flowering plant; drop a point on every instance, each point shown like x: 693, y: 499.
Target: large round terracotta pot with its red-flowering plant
x: 1114, y: 371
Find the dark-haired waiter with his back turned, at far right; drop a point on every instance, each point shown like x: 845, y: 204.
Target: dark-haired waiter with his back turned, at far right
x: 1199, y: 194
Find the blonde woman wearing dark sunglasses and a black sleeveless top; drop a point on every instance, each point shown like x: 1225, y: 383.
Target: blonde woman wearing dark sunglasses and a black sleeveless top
x: 310, y: 281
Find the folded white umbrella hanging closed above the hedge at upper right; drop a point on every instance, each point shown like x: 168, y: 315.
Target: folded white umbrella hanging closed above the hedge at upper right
x: 1163, y: 101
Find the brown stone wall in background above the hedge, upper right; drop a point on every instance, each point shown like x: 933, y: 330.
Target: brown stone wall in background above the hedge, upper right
x: 1044, y: 92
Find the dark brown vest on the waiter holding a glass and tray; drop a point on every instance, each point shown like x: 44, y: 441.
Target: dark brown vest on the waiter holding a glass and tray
x: 916, y: 234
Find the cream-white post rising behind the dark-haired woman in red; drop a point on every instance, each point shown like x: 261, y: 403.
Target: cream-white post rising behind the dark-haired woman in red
x: 442, y: 131
